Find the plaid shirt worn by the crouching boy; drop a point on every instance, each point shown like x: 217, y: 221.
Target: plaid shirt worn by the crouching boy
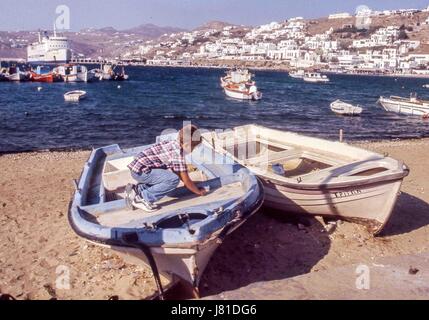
x: 166, y: 155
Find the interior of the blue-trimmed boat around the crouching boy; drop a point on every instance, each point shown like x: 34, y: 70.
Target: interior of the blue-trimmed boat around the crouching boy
x: 105, y: 203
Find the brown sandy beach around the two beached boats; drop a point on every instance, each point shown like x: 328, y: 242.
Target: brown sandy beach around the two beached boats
x: 36, y: 241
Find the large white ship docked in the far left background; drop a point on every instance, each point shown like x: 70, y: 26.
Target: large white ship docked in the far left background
x: 54, y: 49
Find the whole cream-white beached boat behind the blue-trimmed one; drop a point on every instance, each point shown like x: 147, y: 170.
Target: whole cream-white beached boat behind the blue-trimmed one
x: 314, y: 176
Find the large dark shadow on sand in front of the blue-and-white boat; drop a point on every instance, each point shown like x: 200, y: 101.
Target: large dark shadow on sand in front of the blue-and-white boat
x: 268, y: 247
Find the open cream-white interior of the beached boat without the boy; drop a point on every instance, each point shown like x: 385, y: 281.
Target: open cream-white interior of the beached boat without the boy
x: 295, y: 157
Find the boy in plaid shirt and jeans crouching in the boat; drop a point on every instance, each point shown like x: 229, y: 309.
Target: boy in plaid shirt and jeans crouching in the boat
x: 159, y: 169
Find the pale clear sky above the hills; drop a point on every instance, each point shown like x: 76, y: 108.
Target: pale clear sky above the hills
x: 188, y: 14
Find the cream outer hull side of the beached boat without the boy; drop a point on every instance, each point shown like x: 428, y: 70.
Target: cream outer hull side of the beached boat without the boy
x: 348, y: 203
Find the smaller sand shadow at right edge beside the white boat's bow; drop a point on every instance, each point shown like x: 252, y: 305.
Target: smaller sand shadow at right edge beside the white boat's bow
x: 410, y: 213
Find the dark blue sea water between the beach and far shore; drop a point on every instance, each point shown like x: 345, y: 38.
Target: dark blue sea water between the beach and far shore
x: 159, y: 98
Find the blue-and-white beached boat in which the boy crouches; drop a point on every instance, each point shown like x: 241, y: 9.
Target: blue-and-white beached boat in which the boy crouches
x: 178, y: 239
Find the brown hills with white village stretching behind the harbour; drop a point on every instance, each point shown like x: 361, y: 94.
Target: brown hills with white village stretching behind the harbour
x: 395, y: 41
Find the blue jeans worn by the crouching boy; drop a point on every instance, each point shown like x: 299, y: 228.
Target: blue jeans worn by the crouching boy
x: 156, y: 184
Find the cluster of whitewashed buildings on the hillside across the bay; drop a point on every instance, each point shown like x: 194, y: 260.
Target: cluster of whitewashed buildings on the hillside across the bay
x: 387, y: 49
